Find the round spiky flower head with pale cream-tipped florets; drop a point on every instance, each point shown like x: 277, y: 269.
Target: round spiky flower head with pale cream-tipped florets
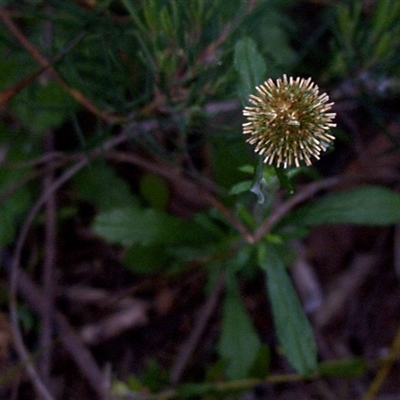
x: 289, y: 122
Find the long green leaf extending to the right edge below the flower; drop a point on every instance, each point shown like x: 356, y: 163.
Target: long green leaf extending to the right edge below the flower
x: 368, y: 205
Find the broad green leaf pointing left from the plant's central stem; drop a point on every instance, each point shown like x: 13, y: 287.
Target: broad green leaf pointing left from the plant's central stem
x: 129, y: 225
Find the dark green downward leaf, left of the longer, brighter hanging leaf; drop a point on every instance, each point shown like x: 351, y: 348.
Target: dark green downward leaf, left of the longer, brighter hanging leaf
x: 239, y: 343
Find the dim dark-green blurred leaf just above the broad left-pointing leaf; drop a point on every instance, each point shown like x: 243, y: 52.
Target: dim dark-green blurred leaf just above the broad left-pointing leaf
x: 101, y: 186
